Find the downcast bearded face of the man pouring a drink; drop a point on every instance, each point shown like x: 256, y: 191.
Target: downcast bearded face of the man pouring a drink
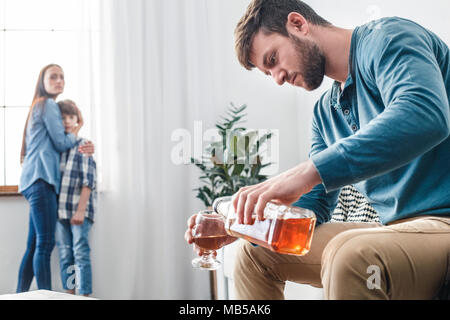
x: 299, y: 62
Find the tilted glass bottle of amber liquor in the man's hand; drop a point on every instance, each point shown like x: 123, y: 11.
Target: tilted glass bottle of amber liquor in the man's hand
x: 284, y: 229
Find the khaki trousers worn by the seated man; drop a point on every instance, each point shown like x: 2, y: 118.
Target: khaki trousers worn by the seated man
x: 408, y: 259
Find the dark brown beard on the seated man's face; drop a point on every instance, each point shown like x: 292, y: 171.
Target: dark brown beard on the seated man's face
x: 312, y: 61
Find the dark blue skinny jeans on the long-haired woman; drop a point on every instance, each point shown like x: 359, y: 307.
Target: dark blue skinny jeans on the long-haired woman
x: 41, y: 236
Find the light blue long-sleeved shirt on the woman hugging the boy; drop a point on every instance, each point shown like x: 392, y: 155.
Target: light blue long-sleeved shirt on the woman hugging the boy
x: 45, y: 140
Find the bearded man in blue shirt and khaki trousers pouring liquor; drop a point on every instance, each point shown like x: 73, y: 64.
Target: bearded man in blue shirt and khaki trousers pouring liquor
x: 382, y: 127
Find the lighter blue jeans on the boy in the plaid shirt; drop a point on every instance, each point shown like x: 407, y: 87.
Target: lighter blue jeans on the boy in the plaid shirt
x: 74, y: 255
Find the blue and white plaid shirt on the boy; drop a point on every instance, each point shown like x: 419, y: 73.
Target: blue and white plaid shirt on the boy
x: 76, y: 171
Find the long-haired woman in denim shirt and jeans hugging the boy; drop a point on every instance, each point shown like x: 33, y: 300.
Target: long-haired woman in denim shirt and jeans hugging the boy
x: 44, y: 139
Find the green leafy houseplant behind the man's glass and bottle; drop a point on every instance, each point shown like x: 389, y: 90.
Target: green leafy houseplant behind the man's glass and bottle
x: 234, y: 161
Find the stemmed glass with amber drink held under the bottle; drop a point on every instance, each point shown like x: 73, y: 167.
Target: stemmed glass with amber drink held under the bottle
x: 209, y: 234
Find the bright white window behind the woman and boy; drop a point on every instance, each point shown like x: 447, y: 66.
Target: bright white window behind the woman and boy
x: 32, y: 35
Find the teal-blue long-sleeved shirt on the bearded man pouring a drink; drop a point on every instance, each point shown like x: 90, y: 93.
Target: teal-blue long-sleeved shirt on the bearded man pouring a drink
x: 387, y: 131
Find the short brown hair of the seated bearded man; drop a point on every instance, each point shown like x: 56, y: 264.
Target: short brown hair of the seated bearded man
x: 269, y: 16
